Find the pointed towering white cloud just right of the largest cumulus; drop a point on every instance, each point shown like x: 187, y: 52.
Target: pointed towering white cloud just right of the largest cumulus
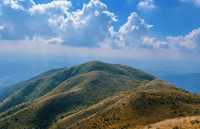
x: 132, y: 32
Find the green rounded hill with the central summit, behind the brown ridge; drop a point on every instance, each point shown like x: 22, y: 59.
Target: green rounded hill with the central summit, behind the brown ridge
x: 58, y: 93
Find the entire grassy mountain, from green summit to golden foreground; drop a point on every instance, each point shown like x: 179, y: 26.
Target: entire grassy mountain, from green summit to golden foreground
x: 97, y: 95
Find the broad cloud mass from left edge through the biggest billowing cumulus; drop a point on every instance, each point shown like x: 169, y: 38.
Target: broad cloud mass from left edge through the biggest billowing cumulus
x: 87, y: 26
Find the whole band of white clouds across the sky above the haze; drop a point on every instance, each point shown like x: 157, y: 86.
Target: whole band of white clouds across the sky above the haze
x: 92, y: 25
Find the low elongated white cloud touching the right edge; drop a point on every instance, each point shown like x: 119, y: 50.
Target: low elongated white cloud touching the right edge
x: 188, y: 42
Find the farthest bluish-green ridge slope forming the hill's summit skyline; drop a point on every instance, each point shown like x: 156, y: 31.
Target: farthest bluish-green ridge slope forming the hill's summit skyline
x: 46, y: 82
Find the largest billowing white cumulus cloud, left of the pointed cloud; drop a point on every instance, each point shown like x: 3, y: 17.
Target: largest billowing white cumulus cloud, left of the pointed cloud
x: 87, y: 26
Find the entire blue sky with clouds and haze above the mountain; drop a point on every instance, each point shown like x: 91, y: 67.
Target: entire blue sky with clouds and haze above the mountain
x: 36, y: 35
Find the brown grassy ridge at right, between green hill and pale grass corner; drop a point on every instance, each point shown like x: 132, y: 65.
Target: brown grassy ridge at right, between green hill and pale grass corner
x: 151, y: 103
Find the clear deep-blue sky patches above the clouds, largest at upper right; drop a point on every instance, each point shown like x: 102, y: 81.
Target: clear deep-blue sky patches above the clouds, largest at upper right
x: 172, y: 17
